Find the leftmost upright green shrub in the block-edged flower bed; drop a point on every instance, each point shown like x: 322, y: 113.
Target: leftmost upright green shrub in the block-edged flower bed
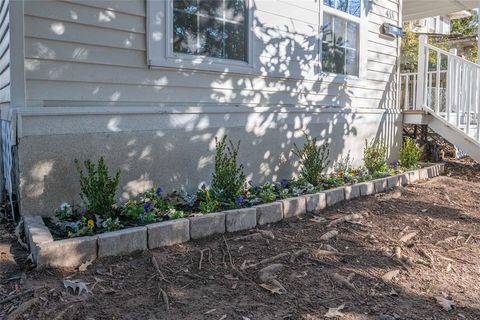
x: 98, y: 188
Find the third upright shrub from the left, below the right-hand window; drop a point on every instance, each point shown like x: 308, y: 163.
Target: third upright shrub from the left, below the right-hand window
x: 313, y: 160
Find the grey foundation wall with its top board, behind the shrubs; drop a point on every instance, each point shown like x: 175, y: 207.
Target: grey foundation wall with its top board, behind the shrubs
x: 175, y: 150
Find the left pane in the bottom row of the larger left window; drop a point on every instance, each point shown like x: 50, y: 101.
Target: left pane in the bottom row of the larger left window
x: 185, y: 33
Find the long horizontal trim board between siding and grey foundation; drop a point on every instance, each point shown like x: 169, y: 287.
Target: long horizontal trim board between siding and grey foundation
x: 55, y: 121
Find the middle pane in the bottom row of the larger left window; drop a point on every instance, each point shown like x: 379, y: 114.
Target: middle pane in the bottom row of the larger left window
x: 211, y: 37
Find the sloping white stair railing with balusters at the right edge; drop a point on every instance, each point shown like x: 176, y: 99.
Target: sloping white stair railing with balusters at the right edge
x: 442, y: 71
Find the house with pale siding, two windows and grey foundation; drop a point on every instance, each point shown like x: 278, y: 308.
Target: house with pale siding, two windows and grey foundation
x: 148, y: 84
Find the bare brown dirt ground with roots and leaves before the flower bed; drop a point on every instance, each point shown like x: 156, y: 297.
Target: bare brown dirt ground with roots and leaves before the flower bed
x: 401, y: 252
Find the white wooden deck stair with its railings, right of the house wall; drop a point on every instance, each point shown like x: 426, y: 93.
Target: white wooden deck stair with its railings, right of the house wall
x: 445, y: 95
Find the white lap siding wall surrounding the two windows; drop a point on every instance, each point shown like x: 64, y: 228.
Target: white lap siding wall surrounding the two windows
x: 81, y: 52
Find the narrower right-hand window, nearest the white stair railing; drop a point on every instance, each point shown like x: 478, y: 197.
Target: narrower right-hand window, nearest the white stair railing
x: 340, y: 36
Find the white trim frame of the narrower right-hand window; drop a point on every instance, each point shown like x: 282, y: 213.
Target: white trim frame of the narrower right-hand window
x: 363, y: 39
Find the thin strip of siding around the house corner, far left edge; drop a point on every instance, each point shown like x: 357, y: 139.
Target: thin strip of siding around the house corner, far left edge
x: 4, y: 52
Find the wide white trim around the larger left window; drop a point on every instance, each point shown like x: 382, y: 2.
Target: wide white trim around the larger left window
x: 160, y: 43
